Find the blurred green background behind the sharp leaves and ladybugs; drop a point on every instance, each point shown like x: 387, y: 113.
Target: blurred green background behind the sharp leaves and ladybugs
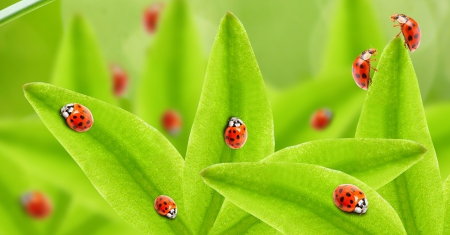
x: 304, y: 50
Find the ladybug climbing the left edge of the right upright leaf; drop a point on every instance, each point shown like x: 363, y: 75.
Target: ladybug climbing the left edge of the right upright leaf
x: 361, y: 68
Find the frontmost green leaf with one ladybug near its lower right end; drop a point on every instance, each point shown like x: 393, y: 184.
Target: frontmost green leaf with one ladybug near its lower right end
x: 296, y: 198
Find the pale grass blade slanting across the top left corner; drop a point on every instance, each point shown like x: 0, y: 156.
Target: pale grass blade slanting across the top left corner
x: 20, y: 8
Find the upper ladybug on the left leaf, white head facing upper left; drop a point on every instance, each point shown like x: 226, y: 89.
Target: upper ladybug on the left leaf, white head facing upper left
x: 78, y: 117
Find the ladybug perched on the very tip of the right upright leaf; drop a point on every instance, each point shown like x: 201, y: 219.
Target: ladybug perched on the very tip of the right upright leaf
x: 410, y: 29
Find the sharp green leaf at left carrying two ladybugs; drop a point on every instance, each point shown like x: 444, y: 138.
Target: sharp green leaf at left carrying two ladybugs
x: 129, y: 162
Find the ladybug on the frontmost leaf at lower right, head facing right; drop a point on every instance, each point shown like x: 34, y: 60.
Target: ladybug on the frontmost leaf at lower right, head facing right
x: 350, y: 198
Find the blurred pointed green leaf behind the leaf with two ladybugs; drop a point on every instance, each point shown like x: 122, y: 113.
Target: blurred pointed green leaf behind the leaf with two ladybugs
x: 80, y: 65
